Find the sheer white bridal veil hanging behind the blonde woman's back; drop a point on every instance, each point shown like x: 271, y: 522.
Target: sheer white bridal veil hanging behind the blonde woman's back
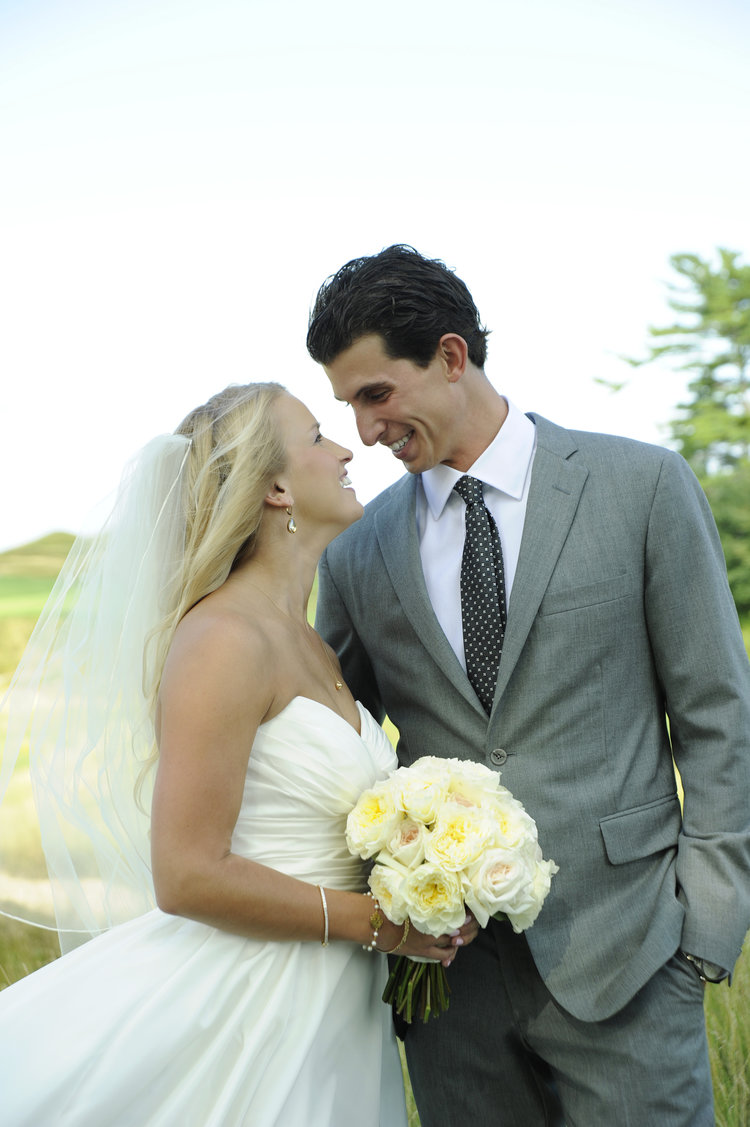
x: 78, y: 723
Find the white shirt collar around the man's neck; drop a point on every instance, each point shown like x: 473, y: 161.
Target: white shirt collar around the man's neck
x: 505, y: 465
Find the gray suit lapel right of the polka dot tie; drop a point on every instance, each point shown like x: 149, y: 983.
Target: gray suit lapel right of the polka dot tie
x: 554, y: 495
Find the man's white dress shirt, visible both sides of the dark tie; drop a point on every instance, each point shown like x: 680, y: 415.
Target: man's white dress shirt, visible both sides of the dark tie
x: 506, y: 471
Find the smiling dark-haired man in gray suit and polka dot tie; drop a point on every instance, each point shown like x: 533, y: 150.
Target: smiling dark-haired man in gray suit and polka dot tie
x: 621, y: 654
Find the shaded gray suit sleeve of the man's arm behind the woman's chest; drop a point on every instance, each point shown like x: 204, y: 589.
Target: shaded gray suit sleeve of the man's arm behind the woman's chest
x: 333, y: 623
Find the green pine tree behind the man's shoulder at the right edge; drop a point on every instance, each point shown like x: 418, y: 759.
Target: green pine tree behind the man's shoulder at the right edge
x: 711, y: 341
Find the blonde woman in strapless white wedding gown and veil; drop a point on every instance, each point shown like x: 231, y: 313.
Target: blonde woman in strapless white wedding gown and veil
x: 188, y: 682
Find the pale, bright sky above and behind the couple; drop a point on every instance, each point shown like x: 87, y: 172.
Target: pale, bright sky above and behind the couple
x: 180, y: 176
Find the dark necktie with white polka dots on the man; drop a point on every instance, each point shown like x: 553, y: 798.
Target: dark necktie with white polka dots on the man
x: 483, y: 592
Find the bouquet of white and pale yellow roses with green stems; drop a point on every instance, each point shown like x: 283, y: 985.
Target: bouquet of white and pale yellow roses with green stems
x: 446, y: 837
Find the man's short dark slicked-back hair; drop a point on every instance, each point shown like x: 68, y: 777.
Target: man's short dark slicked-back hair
x: 409, y: 300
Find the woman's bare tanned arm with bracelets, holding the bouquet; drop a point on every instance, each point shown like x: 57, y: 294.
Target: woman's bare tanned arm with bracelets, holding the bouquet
x: 218, y: 687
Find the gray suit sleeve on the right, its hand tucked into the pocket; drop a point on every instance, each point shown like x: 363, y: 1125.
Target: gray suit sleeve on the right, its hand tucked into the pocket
x: 705, y: 675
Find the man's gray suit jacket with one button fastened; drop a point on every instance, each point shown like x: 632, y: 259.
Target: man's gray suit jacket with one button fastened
x: 623, y: 650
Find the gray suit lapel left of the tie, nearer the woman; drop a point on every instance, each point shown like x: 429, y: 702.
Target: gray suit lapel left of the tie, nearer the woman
x: 398, y: 536
